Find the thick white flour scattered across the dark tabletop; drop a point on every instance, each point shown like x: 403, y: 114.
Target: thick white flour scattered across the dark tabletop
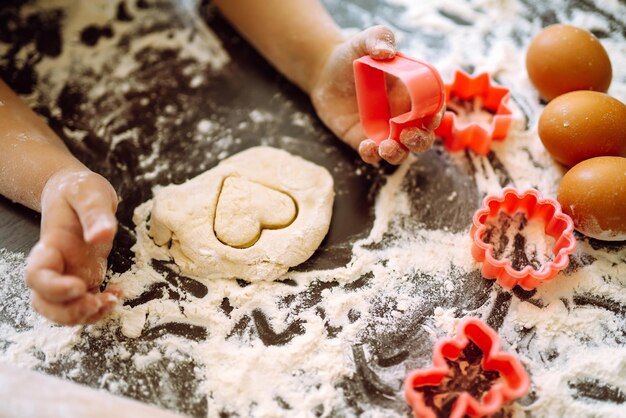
x: 563, y: 339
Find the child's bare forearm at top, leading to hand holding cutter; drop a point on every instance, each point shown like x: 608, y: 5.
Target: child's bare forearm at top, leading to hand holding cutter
x: 295, y: 36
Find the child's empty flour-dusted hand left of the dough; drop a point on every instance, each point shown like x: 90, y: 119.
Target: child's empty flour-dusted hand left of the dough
x: 68, y: 264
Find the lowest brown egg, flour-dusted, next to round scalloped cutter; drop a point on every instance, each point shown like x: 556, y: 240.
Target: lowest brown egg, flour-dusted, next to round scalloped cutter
x: 593, y: 193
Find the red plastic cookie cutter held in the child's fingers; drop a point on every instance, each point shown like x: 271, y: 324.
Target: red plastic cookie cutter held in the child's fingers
x: 423, y: 82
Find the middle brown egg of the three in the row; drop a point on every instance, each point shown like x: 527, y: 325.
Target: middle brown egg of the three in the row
x: 583, y: 124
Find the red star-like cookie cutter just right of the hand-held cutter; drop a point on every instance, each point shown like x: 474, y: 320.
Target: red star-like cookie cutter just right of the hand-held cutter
x: 476, y: 136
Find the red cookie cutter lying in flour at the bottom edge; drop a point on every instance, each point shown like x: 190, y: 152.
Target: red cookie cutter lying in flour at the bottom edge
x: 513, y: 384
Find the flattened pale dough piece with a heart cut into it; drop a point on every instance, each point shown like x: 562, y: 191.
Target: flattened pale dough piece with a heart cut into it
x: 252, y: 216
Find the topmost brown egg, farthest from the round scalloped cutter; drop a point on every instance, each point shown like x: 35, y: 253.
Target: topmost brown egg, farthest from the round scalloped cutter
x: 563, y: 58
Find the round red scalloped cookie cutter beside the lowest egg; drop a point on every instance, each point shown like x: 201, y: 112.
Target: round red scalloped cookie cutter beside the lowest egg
x: 534, y: 206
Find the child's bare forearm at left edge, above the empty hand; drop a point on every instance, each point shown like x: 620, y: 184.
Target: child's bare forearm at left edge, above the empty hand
x: 30, y: 152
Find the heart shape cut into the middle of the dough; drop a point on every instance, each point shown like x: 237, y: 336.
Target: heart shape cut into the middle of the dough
x: 245, y: 208
